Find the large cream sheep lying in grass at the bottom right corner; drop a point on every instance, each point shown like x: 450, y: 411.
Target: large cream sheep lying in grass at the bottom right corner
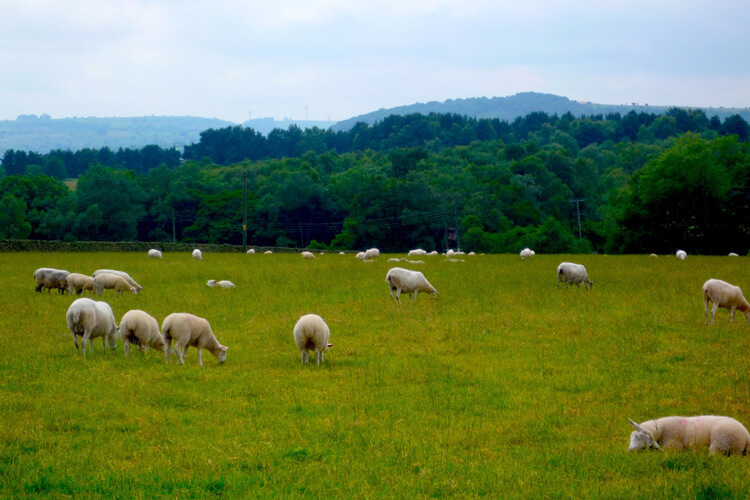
x: 719, y: 434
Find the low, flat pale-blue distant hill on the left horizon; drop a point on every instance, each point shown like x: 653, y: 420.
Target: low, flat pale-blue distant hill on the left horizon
x: 43, y: 133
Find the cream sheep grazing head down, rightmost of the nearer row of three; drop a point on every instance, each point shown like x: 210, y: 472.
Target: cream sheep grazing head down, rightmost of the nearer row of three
x: 187, y: 329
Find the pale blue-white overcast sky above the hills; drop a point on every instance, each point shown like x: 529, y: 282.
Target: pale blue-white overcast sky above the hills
x: 342, y: 58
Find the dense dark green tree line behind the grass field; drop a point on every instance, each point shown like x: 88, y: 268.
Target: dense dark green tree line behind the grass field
x: 645, y: 183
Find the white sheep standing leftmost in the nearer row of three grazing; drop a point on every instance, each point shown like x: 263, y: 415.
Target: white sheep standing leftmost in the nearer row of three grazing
x: 92, y: 319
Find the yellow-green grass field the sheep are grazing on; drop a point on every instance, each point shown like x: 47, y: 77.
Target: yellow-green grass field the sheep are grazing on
x: 504, y: 386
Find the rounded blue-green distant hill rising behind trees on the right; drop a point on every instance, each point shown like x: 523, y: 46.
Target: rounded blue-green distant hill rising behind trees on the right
x: 511, y: 107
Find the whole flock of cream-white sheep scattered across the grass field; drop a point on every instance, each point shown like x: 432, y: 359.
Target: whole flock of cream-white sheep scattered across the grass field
x: 90, y: 319
